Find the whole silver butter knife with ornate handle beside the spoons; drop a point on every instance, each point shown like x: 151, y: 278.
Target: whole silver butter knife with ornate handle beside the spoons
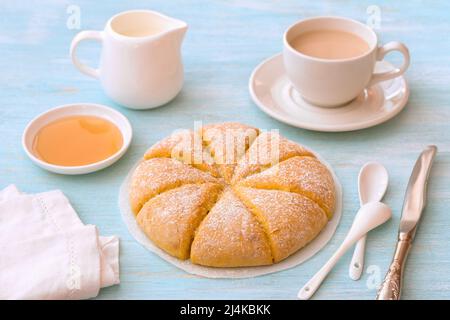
x: 414, y: 203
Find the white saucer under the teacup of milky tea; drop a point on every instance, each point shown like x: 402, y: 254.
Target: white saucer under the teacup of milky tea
x: 272, y: 91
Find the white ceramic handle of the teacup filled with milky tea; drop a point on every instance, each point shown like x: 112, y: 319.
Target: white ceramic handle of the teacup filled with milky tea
x: 381, y: 53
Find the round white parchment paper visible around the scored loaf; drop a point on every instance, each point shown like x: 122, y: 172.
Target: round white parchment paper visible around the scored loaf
x: 242, y: 272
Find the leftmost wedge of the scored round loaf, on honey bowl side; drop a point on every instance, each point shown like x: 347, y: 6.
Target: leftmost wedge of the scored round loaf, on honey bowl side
x: 157, y: 175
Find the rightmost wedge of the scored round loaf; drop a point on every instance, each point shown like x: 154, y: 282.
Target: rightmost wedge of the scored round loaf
x: 303, y: 175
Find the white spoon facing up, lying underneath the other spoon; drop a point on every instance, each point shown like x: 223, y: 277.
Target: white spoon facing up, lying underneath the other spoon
x: 372, y: 184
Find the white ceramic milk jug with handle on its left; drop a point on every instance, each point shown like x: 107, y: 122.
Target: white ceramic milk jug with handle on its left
x: 140, y: 65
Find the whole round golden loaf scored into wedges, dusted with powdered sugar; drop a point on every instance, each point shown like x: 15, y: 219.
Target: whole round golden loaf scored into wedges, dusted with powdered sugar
x: 229, y: 195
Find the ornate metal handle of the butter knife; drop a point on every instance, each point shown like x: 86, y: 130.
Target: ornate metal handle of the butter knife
x: 392, y: 285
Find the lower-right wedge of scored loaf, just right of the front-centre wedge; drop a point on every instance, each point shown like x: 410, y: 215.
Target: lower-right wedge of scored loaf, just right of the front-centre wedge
x: 290, y: 220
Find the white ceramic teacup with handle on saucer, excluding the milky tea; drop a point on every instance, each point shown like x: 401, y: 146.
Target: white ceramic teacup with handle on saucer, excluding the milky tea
x: 335, y: 82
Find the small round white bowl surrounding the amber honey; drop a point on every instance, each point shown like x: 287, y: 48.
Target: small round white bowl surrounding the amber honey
x: 76, y: 109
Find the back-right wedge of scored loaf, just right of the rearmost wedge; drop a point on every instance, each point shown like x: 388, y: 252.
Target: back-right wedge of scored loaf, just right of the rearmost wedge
x: 268, y: 149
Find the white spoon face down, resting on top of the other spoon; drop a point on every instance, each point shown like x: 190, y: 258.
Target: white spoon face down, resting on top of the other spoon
x: 370, y: 216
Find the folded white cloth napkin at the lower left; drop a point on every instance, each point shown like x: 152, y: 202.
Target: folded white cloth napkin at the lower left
x: 46, y: 252
